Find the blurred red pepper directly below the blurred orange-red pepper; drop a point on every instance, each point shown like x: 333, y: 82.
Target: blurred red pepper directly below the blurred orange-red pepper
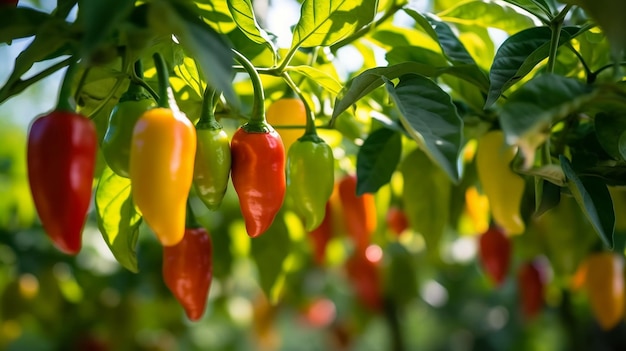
x: 365, y: 278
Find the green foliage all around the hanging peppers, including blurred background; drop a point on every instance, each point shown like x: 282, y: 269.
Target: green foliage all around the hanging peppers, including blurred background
x: 421, y: 87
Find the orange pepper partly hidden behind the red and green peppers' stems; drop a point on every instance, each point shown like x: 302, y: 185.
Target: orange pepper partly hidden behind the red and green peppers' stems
x: 289, y: 110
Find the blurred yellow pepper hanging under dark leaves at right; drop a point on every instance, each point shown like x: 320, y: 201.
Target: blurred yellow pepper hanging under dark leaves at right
x: 503, y: 187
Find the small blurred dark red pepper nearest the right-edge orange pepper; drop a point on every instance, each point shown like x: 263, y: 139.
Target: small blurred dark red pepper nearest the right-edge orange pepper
x: 531, y: 288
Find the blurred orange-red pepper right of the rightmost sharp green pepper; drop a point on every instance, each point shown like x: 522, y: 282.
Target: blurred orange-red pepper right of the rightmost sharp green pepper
x: 359, y: 212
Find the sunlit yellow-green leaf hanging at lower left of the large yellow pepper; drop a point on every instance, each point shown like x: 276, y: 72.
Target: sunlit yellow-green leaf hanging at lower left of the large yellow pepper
x: 118, y: 218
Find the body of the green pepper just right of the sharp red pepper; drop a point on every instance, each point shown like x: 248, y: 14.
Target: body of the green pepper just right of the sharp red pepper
x: 310, y: 178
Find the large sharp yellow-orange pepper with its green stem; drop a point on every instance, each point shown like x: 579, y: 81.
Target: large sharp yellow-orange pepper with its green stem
x: 162, y: 156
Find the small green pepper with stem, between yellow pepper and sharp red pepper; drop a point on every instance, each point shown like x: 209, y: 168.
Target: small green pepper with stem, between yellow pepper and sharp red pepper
x: 213, y: 158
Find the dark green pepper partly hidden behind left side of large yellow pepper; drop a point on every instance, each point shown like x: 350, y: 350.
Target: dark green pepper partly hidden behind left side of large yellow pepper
x: 117, y: 138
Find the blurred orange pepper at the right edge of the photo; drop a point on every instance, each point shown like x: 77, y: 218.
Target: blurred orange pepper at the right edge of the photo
x: 605, y: 288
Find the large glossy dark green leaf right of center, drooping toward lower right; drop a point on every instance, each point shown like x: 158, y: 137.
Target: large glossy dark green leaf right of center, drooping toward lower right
x: 430, y: 117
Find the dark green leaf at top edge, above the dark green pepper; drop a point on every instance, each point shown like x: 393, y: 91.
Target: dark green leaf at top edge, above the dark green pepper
x: 99, y: 18
